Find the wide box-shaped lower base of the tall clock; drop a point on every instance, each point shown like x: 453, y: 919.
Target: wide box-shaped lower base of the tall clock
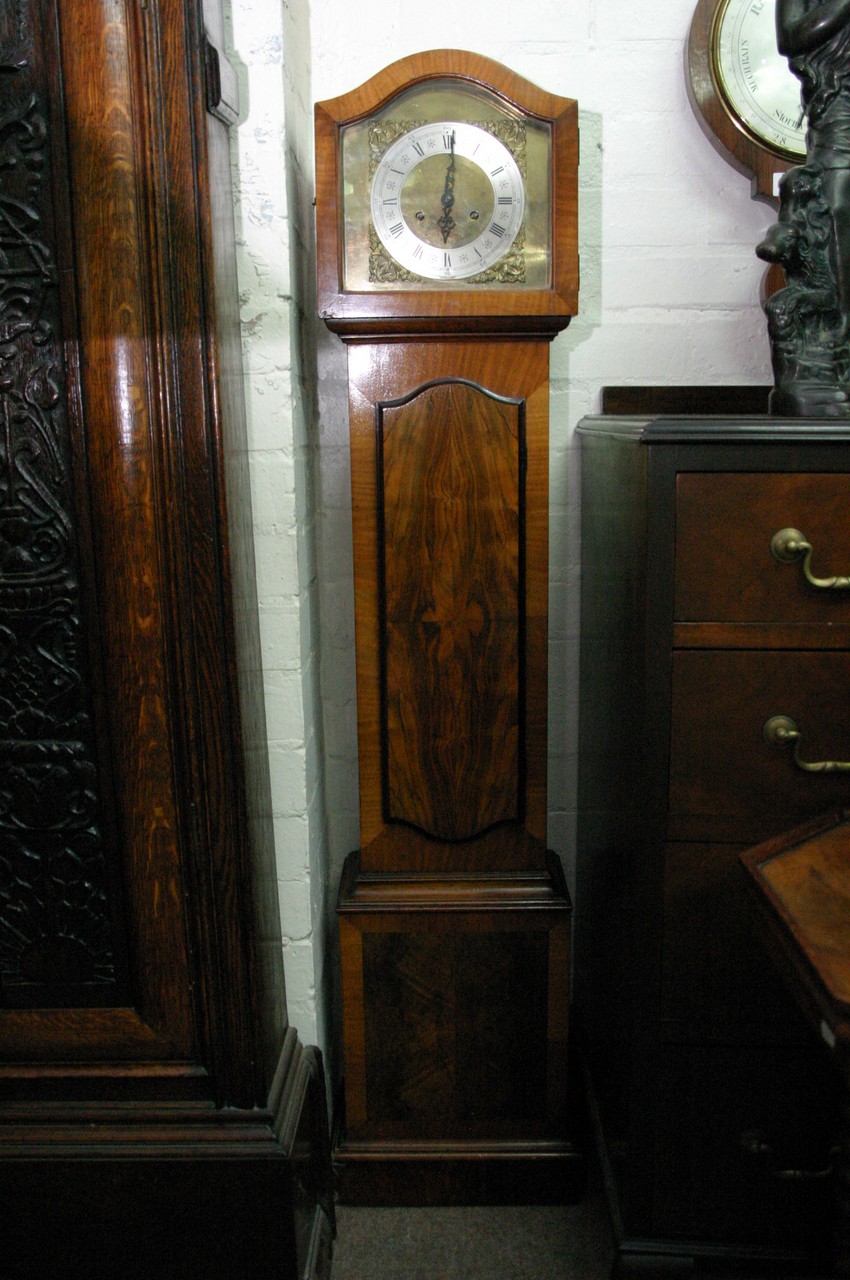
x: 455, y: 1022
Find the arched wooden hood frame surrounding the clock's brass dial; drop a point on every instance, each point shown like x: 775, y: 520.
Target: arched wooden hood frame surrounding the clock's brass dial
x: 477, y: 310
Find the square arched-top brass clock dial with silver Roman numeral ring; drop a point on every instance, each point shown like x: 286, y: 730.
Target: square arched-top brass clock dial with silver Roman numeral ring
x: 405, y: 152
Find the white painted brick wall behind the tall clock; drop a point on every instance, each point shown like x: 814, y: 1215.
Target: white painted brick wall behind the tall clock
x: 669, y: 295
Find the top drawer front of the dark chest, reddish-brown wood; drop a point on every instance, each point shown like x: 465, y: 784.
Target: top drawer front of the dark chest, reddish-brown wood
x: 725, y: 569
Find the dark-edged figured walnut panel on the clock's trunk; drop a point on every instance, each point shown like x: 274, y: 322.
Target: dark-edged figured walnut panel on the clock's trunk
x: 453, y: 504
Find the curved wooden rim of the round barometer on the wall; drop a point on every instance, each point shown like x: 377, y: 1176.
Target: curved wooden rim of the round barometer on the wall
x: 743, y: 153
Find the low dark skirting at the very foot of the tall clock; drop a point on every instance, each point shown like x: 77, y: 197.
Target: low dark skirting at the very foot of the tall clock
x: 421, y: 1174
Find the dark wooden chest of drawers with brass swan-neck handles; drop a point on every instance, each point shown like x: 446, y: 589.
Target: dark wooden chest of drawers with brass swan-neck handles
x: 715, y: 714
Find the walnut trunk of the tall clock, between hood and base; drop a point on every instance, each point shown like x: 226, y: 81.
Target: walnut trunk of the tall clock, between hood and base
x: 450, y: 486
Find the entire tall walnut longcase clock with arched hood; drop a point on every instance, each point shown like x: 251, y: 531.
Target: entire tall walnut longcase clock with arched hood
x: 447, y: 191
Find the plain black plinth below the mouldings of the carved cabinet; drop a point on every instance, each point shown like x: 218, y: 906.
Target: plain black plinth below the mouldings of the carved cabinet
x: 167, y: 1219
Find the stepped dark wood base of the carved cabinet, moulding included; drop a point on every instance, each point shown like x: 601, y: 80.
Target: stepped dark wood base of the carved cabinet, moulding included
x: 170, y: 1191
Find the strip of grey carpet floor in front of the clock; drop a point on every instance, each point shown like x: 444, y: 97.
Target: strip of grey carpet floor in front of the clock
x: 518, y: 1244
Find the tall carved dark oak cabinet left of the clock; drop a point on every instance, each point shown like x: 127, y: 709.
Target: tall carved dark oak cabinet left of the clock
x: 158, y: 1117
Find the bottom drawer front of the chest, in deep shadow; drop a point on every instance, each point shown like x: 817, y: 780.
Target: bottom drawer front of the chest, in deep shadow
x: 729, y: 1122
